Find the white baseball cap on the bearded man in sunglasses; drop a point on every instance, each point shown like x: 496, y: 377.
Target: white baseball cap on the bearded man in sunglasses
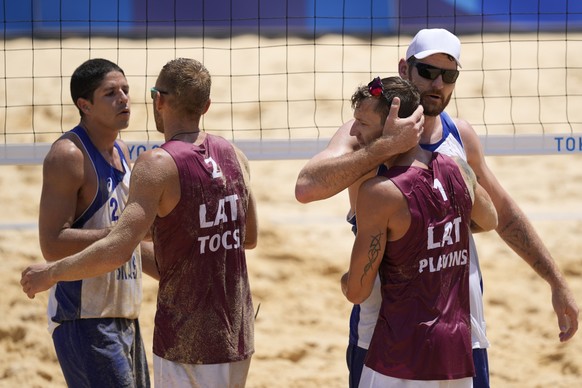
x: 431, y: 41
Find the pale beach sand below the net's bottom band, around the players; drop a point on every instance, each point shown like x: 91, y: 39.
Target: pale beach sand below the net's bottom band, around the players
x: 302, y: 325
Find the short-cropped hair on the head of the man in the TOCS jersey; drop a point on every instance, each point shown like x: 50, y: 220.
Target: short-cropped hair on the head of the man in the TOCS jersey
x: 187, y: 83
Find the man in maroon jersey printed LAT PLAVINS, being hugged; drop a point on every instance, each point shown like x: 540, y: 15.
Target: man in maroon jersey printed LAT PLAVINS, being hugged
x: 413, y: 229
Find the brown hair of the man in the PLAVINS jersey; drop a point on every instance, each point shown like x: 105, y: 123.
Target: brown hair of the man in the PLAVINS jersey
x: 392, y: 87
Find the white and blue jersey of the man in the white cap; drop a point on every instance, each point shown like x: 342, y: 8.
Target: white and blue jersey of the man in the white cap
x: 361, y: 326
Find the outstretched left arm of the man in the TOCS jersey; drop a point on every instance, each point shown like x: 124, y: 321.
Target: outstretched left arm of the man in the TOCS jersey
x: 148, y: 185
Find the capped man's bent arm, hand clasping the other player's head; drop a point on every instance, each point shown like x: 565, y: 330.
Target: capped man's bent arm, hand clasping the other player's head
x: 343, y: 162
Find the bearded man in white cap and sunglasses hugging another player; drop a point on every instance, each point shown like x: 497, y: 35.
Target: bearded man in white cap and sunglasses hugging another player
x: 431, y: 64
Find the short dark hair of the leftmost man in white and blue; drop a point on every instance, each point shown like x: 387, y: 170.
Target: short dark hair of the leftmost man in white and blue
x: 88, y: 76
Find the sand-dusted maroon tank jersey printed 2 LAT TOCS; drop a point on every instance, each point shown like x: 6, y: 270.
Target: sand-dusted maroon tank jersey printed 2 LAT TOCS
x: 204, y: 312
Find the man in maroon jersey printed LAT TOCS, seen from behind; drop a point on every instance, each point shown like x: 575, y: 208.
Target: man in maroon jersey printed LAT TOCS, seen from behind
x: 194, y: 193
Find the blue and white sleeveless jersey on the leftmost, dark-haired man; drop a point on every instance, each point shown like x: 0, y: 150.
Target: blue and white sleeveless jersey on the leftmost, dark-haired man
x: 116, y: 294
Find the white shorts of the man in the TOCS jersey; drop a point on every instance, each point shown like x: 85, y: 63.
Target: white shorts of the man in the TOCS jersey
x: 169, y: 374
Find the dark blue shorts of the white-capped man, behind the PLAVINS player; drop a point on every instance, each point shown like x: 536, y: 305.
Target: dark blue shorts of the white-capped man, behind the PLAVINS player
x: 355, y: 357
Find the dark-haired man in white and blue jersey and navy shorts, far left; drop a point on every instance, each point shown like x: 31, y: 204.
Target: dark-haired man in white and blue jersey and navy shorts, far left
x: 86, y: 173
